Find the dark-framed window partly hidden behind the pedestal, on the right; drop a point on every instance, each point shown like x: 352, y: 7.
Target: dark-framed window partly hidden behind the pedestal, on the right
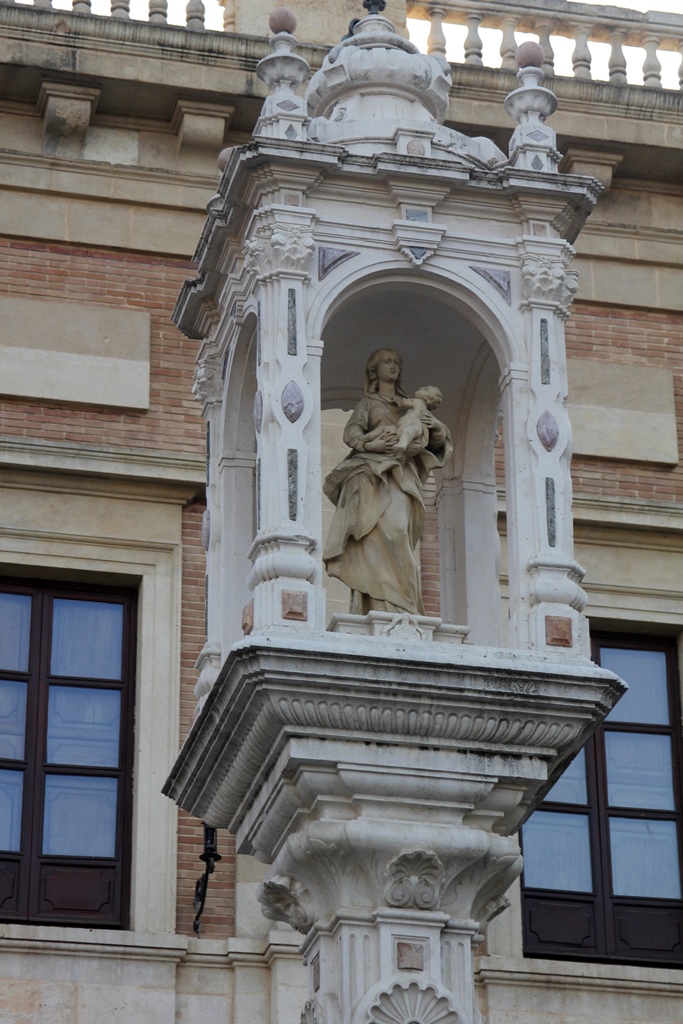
x: 603, y: 855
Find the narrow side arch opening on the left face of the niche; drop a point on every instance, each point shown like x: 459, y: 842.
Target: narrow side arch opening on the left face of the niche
x: 237, y: 490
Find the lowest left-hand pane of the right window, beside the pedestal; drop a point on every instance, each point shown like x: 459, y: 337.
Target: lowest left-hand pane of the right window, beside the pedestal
x: 558, y: 852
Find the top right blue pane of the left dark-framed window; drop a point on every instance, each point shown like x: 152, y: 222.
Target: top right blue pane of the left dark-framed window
x: 88, y: 639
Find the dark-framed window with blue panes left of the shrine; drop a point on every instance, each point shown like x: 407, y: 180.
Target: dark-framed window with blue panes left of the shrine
x: 67, y: 697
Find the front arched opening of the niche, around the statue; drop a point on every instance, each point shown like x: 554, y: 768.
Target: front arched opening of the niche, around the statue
x: 442, y: 346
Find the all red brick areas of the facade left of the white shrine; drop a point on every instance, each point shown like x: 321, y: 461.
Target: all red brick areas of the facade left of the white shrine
x: 173, y: 423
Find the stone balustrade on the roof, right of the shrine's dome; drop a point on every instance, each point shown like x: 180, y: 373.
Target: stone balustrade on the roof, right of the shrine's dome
x: 582, y: 23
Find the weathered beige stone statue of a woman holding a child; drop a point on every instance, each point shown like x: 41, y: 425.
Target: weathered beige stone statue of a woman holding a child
x: 377, y: 490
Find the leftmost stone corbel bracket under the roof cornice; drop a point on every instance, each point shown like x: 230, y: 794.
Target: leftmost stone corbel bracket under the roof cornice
x: 67, y: 113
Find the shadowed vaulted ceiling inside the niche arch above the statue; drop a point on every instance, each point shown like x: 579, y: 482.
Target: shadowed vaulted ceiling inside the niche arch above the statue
x: 440, y: 345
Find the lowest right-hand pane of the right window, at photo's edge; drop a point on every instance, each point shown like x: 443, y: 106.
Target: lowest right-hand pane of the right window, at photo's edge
x: 646, y: 859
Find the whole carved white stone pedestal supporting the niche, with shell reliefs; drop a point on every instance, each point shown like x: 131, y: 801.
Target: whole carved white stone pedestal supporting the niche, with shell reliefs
x: 385, y: 786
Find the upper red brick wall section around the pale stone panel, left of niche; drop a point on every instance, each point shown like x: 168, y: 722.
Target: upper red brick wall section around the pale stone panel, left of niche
x: 122, y: 281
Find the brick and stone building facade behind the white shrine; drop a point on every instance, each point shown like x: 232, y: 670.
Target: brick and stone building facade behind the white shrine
x: 112, y: 129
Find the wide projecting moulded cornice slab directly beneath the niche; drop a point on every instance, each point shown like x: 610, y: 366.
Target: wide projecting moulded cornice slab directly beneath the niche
x: 269, y: 694
